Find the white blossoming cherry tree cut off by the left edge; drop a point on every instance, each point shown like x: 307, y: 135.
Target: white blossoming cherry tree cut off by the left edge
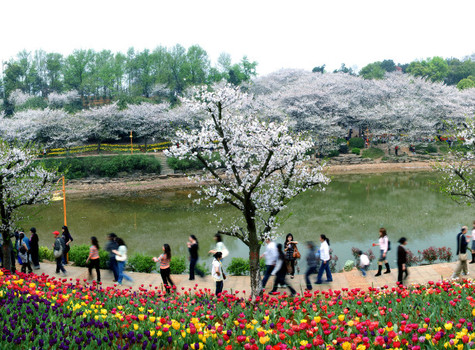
x: 21, y: 183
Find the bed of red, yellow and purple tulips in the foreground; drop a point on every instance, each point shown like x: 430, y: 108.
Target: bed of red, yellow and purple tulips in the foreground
x: 42, y: 312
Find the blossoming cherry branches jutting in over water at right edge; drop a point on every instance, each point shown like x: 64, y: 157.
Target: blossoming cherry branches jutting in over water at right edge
x: 457, y: 174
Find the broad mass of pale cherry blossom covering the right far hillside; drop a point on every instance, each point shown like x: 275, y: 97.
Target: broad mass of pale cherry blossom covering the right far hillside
x: 328, y: 105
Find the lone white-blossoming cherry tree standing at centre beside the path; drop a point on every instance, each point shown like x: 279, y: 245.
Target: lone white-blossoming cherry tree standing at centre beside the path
x: 264, y: 165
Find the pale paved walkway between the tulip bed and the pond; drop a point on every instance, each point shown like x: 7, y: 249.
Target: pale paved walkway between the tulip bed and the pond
x: 351, y: 279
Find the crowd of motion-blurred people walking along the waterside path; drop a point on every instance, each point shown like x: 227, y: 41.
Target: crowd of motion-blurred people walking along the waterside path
x: 281, y: 259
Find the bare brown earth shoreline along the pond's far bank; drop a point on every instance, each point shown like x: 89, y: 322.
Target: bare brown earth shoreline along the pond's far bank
x: 129, y: 186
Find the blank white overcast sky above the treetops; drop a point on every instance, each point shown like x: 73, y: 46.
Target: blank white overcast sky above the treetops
x: 277, y: 34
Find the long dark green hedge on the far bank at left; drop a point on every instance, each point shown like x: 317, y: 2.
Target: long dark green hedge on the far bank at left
x: 103, y: 166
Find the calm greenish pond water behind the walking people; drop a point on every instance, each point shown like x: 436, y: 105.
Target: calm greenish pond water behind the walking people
x: 350, y: 212
